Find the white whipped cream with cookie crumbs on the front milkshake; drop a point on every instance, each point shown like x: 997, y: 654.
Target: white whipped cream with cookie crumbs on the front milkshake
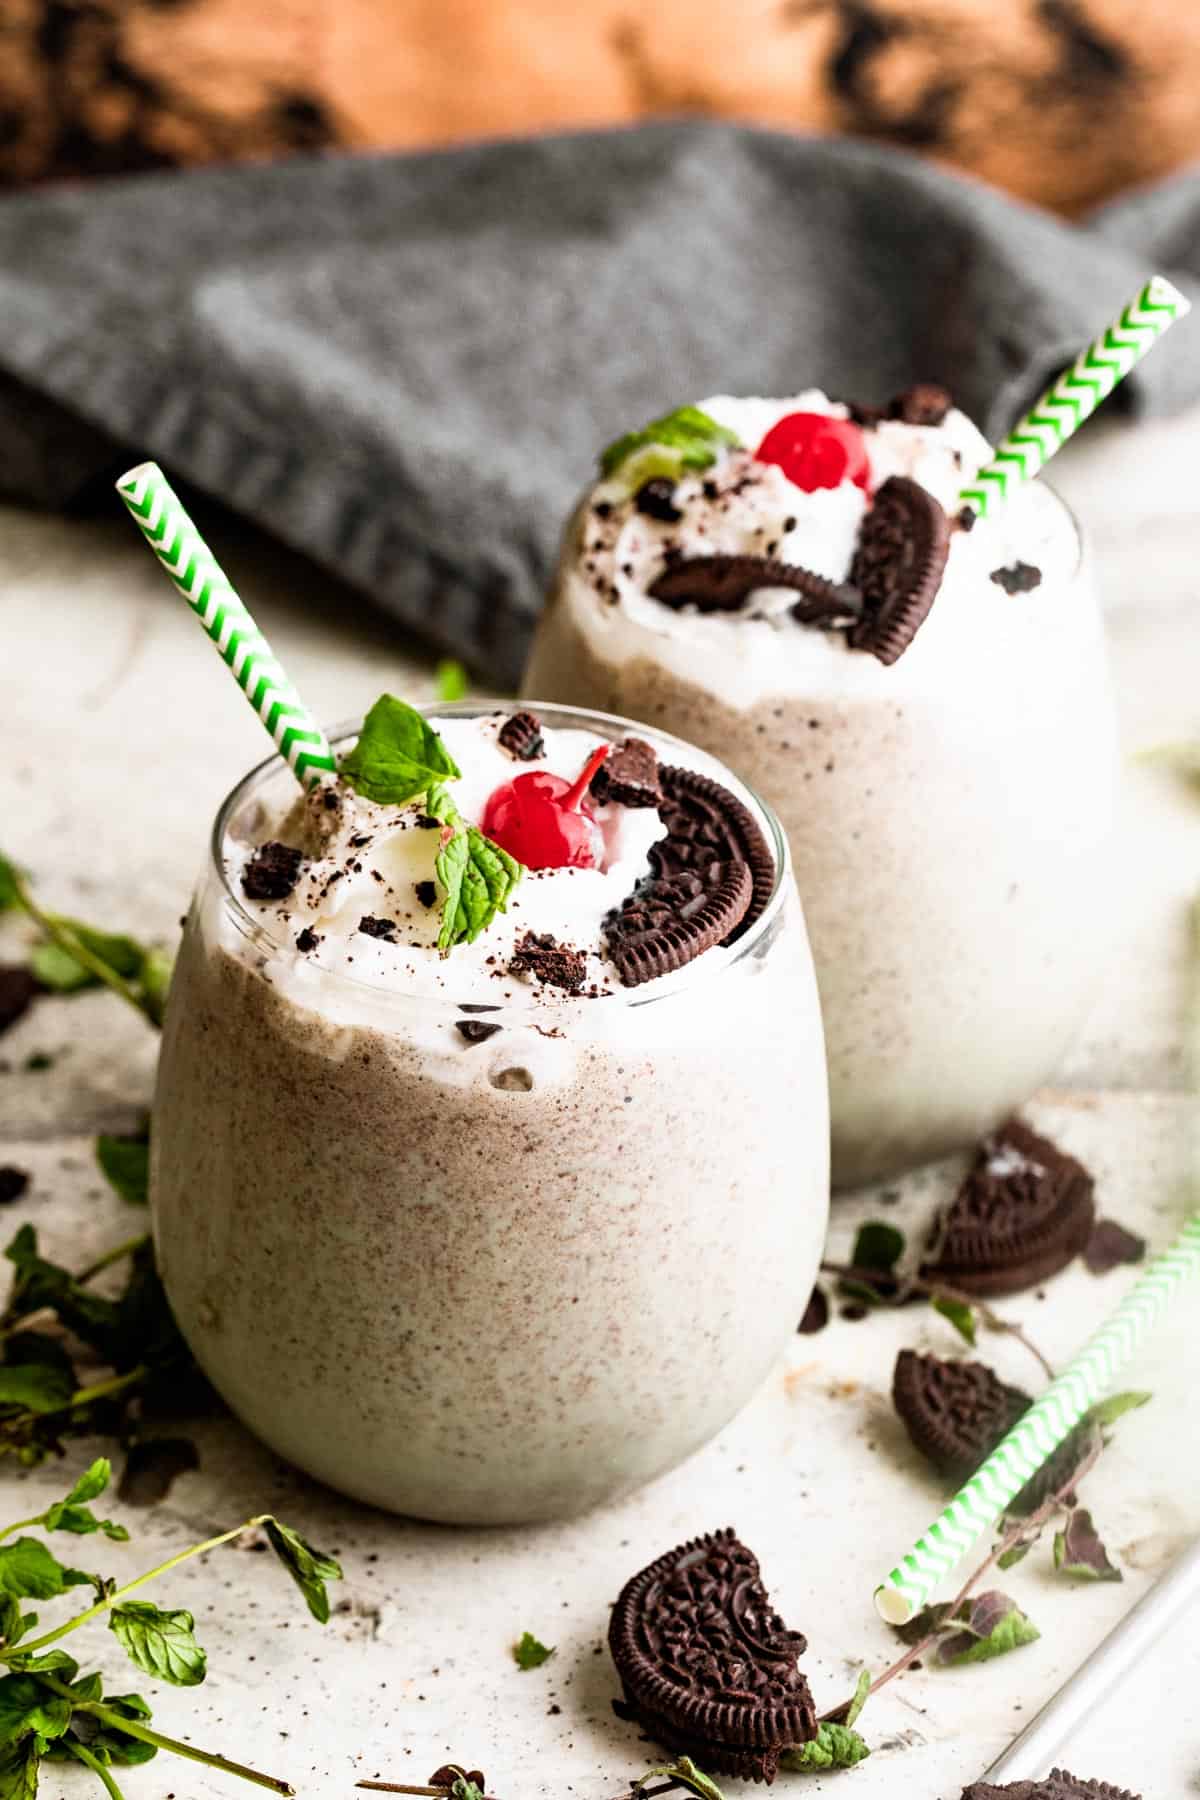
x: 379, y: 863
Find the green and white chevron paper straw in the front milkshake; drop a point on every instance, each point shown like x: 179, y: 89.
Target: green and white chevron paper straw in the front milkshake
x: 204, y: 586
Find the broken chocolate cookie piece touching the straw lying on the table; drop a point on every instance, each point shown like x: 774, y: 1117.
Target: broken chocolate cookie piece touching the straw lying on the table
x: 956, y: 1414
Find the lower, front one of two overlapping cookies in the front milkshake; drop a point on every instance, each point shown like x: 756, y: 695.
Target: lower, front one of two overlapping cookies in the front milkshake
x: 672, y: 921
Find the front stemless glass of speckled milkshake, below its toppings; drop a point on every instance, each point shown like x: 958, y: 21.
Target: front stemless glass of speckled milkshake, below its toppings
x: 487, y: 1282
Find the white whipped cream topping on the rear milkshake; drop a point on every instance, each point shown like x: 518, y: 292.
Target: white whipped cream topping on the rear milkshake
x: 740, y: 507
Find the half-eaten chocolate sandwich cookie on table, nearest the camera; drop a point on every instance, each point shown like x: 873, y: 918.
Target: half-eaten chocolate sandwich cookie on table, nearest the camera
x: 708, y: 1666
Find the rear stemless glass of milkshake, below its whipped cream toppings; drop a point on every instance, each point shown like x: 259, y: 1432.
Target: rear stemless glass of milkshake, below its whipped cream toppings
x: 951, y: 823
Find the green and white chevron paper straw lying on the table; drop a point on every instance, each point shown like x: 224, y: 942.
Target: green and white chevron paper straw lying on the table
x: 1035, y: 1437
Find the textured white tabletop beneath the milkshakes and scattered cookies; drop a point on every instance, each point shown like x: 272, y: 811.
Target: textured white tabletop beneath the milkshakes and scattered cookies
x: 123, y: 735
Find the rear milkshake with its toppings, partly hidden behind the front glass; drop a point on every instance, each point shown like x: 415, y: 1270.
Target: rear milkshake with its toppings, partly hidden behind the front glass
x: 920, y: 694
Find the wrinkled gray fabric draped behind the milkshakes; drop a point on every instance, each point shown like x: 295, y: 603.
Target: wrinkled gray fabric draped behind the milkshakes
x: 406, y: 364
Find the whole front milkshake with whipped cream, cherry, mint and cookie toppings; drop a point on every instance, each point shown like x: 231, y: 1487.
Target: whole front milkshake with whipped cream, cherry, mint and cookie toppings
x: 490, y: 1164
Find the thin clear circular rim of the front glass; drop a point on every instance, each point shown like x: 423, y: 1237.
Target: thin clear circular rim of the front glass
x: 337, y: 980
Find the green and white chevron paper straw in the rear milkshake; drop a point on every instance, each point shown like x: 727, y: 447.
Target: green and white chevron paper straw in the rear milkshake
x: 1077, y: 395
